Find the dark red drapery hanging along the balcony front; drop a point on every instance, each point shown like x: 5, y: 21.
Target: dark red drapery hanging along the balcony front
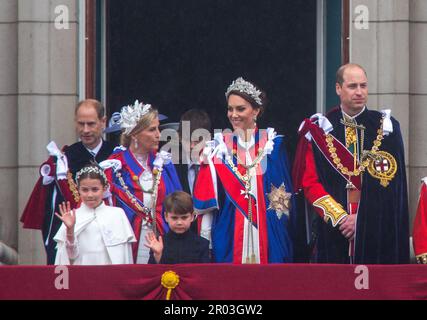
x: 216, y: 282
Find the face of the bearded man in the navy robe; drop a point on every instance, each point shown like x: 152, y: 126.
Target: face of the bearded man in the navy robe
x: 354, y: 91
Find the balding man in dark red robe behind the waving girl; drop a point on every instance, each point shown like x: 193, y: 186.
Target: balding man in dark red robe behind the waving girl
x: 56, y: 183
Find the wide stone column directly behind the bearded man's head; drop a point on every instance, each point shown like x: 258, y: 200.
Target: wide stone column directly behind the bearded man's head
x: 382, y: 48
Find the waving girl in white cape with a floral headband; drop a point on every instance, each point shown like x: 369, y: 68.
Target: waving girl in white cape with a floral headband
x: 94, y: 234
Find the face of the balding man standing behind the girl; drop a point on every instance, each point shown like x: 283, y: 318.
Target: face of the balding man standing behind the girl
x: 89, y: 127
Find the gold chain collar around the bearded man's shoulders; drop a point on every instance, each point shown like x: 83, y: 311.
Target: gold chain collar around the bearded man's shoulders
x: 364, y: 162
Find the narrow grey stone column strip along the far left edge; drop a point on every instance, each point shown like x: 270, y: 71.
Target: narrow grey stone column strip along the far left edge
x: 8, y: 124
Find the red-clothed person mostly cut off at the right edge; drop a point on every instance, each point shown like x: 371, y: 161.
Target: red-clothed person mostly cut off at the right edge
x: 420, y: 226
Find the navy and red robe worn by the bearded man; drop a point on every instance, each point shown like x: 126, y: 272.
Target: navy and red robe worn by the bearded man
x: 381, y: 232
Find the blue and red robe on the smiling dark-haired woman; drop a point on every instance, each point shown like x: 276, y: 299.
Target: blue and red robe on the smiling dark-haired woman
x: 218, y: 190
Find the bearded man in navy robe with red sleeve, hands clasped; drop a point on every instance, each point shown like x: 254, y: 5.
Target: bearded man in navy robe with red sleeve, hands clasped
x: 350, y: 165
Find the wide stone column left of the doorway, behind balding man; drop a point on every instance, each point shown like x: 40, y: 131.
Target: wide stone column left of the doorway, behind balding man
x: 47, y: 94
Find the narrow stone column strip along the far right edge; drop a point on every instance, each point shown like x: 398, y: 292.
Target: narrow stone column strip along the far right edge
x: 418, y: 99
